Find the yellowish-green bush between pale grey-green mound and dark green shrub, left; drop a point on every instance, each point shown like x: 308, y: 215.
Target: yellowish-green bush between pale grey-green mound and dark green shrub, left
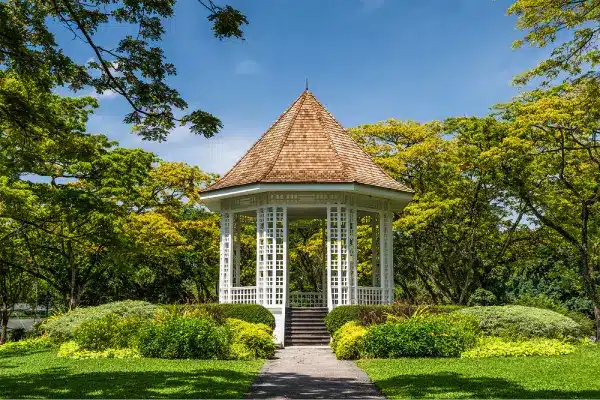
x: 109, y: 332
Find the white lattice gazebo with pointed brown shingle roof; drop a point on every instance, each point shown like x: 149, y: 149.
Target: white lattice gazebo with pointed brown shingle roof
x: 306, y: 166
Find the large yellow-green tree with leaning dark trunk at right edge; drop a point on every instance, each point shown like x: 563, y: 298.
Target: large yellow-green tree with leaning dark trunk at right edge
x: 550, y: 159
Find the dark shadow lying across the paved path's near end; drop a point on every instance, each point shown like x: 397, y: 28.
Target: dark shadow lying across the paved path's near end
x: 300, y: 386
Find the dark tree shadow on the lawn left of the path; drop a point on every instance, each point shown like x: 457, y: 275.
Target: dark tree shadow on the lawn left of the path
x: 63, y: 384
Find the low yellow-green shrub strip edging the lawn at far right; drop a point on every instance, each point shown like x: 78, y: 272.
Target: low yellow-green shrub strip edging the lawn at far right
x: 498, y: 347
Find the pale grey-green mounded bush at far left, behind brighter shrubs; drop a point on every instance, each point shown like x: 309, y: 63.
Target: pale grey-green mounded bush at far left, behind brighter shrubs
x: 61, y: 327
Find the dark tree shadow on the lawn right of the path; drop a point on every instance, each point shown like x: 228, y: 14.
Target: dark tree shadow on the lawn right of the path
x: 456, y: 386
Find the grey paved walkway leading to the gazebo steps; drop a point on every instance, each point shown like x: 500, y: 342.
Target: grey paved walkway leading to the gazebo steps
x: 312, y: 373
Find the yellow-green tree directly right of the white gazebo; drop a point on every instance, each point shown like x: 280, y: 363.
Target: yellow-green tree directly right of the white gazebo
x: 454, y: 236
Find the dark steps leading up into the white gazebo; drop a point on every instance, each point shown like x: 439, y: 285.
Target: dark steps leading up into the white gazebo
x: 305, y: 327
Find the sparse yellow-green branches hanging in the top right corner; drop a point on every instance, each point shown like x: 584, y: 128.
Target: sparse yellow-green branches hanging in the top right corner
x: 577, y: 22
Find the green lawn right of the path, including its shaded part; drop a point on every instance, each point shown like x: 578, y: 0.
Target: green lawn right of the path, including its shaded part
x: 573, y: 376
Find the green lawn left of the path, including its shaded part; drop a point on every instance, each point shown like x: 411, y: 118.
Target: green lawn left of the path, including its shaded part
x: 43, y: 375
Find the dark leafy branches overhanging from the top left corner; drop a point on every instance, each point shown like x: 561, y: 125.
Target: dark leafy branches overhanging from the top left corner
x: 134, y: 67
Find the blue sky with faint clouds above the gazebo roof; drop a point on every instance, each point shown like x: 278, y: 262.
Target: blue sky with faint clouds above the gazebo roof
x: 366, y: 60
